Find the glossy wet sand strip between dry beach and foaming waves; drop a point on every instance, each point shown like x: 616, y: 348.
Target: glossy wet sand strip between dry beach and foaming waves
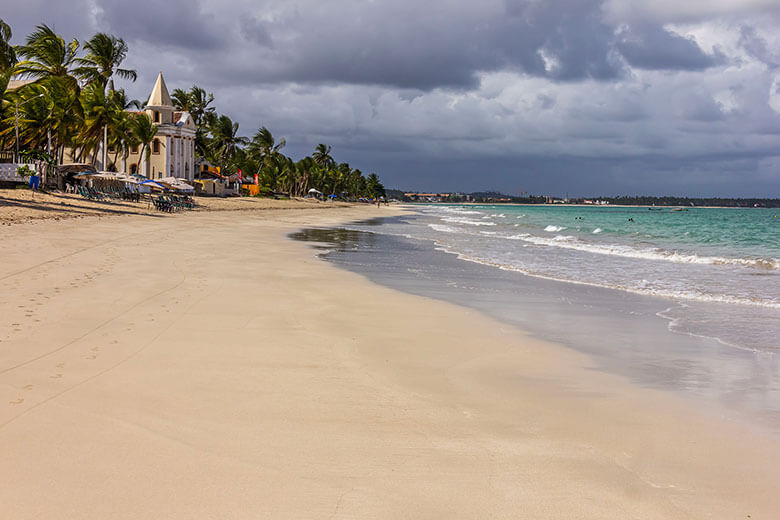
x: 622, y: 333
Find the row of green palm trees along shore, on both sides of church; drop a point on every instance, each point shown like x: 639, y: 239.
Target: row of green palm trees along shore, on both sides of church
x: 58, y: 95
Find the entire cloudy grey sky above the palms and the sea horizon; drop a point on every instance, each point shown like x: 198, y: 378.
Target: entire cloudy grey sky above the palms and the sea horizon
x: 546, y: 97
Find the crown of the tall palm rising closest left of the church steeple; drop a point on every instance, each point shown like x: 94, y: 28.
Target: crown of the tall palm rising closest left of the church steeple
x: 105, y: 54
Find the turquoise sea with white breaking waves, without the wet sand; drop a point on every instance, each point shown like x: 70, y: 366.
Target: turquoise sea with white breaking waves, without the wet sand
x: 718, y: 269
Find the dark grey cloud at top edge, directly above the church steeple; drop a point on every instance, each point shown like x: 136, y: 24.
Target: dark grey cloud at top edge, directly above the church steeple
x: 180, y: 24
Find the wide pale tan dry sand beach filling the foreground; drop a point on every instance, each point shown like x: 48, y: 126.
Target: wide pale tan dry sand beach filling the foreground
x: 203, y: 366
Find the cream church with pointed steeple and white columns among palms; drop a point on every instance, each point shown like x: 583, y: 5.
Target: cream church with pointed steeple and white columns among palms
x: 173, y: 148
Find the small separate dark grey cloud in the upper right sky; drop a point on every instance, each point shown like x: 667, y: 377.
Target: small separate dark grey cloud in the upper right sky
x: 655, y: 48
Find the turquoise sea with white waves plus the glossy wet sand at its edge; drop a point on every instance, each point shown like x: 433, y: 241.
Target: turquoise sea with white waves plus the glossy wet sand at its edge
x: 687, y: 301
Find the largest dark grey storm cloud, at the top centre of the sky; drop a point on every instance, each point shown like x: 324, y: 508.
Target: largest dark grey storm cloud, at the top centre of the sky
x: 434, y: 47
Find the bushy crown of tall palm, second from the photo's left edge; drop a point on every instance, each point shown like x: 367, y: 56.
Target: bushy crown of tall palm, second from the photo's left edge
x: 47, y: 55
